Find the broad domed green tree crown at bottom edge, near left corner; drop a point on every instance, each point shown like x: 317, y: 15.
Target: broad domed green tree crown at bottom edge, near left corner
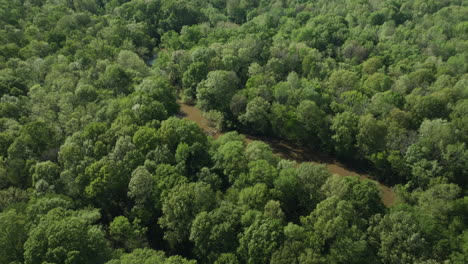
x: 64, y: 236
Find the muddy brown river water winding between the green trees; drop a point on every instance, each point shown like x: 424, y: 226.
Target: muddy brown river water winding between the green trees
x: 290, y: 151
